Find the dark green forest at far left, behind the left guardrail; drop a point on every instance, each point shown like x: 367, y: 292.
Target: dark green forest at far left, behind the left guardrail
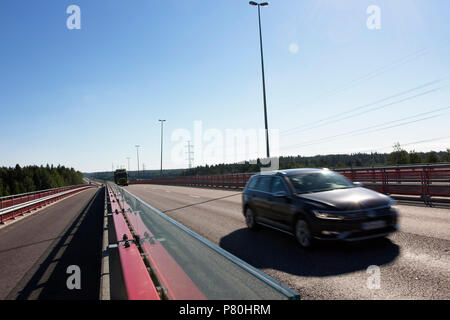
x: 32, y: 178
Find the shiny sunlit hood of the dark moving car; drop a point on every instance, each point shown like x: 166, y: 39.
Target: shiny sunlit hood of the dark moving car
x: 348, y: 199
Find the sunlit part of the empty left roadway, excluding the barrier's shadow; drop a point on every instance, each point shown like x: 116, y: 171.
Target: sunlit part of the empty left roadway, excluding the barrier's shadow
x: 25, y: 244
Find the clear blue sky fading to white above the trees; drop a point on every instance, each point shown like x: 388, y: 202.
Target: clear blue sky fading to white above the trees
x: 84, y: 98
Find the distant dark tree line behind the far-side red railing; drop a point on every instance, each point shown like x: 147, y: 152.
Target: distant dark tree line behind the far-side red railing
x: 397, y: 157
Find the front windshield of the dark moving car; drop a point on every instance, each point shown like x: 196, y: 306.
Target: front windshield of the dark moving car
x: 319, y: 181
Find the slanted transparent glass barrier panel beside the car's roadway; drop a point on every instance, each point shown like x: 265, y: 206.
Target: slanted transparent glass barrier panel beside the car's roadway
x: 187, y: 266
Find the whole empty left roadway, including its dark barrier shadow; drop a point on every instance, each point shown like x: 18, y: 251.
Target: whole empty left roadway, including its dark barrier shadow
x: 36, y: 251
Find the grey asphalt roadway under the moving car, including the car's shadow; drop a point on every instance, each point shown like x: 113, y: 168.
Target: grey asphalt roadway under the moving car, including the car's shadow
x: 414, y: 262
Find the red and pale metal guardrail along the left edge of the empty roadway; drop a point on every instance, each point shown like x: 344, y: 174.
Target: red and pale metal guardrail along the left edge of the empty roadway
x: 11, y: 212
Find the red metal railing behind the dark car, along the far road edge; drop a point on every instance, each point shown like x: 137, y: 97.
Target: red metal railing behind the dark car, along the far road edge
x: 422, y: 180
